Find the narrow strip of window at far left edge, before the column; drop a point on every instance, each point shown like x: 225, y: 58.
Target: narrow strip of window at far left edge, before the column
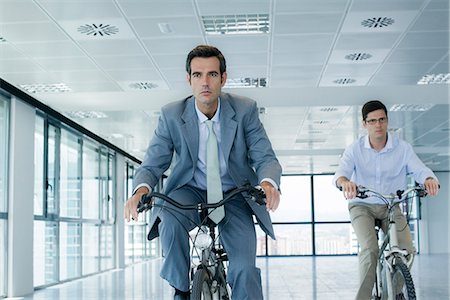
x: 4, y: 112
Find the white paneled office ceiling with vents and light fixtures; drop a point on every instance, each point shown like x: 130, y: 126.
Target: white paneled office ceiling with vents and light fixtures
x: 316, y: 63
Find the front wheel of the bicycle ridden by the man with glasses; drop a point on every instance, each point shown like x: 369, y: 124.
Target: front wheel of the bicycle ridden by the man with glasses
x: 402, y: 282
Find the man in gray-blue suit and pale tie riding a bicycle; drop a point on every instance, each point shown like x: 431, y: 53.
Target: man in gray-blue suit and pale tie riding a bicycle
x: 245, y: 155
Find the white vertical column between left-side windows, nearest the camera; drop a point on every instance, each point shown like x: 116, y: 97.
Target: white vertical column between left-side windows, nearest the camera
x: 20, y: 197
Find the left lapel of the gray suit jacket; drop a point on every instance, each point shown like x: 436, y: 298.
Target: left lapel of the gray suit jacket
x: 190, y: 128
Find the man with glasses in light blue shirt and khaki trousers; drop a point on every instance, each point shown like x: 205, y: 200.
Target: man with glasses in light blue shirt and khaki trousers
x: 382, y: 161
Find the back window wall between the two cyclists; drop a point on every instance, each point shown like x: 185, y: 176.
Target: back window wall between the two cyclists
x: 312, y: 219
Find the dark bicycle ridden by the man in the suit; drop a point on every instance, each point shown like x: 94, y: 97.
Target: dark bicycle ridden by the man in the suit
x: 208, y: 277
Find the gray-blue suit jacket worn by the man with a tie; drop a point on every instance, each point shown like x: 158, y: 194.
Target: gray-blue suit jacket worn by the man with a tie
x: 245, y: 145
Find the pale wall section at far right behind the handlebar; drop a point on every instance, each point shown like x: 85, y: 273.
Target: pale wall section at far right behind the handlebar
x: 435, y: 223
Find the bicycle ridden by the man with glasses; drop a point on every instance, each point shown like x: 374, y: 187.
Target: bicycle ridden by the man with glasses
x: 393, y: 263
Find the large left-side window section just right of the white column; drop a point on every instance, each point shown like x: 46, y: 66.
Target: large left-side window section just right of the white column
x: 73, y: 204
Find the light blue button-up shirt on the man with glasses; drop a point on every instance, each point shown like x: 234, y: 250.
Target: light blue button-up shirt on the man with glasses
x: 385, y: 170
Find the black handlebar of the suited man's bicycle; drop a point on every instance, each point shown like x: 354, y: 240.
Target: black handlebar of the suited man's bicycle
x: 255, y: 193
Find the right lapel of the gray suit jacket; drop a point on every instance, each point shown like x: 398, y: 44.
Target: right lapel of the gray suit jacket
x: 228, y: 125
